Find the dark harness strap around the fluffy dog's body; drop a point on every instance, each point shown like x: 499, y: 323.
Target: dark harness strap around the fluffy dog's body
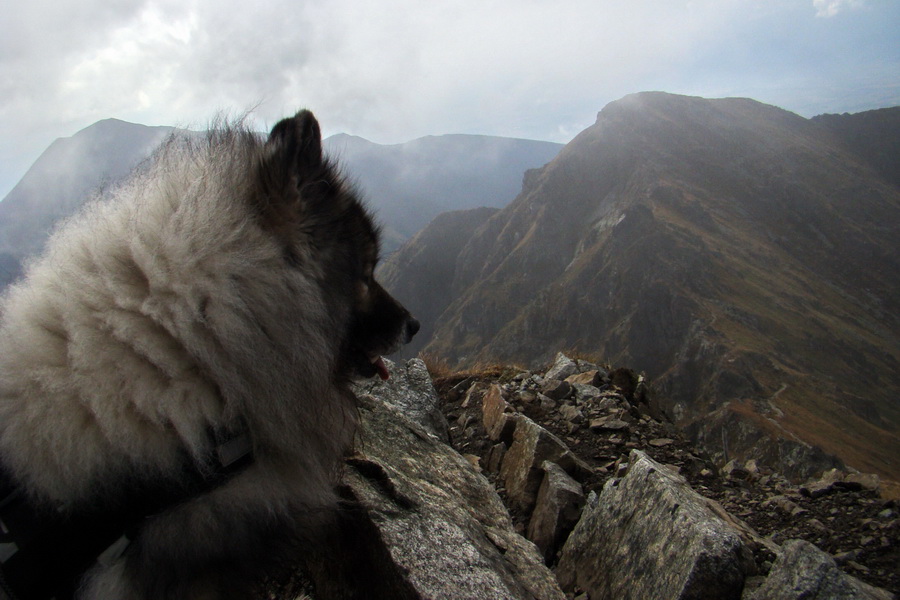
x: 44, y: 551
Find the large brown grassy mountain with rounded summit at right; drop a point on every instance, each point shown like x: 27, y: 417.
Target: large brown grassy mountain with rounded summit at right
x: 743, y: 257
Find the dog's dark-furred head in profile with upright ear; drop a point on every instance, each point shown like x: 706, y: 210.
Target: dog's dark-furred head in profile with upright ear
x: 326, y: 230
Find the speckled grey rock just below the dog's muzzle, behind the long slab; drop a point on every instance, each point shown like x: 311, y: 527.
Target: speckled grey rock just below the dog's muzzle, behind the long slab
x: 410, y: 389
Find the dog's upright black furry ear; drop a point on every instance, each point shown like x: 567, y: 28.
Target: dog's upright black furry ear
x: 291, y: 167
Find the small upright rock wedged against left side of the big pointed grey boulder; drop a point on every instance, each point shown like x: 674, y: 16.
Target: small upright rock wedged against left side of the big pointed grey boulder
x: 556, y: 511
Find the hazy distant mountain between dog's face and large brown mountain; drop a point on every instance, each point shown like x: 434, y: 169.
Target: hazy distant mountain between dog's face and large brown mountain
x: 409, y: 184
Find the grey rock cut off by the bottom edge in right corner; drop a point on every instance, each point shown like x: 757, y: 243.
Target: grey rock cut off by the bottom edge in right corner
x: 802, y: 571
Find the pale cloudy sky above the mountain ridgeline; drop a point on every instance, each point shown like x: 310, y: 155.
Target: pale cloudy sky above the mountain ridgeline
x: 394, y: 70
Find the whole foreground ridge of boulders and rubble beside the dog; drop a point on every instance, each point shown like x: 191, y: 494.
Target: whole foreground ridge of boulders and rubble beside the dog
x: 614, y: 505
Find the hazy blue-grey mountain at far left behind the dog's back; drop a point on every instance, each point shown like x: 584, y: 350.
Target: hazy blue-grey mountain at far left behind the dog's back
x: 62, y: 178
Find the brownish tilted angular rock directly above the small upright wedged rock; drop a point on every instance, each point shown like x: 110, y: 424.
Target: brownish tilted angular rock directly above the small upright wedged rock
x: 521, y: 469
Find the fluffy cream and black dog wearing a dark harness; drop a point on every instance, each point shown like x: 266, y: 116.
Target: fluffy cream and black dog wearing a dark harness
x: 219, y: 302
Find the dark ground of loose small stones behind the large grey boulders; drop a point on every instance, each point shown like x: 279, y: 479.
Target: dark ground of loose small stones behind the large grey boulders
x: 603, y: 415
